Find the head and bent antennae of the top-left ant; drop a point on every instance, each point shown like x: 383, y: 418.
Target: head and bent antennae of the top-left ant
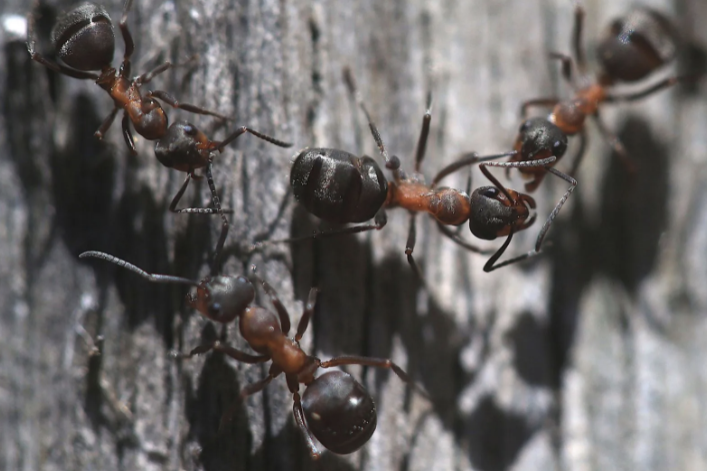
x: 185, y: 148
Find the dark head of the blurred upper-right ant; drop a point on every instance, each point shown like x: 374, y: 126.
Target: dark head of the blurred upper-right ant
x: 539, y: 138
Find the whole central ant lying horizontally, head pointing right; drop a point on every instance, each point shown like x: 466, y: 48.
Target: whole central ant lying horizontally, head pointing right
x: 337, y: 186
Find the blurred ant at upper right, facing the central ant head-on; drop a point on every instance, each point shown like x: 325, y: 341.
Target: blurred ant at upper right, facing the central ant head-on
x: 633, y: 48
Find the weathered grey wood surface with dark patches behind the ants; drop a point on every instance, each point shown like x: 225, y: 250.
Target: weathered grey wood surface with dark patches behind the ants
x: 590, y: 358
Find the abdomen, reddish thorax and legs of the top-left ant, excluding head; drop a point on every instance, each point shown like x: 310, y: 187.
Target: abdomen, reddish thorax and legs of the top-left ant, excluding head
x: 83, y: 39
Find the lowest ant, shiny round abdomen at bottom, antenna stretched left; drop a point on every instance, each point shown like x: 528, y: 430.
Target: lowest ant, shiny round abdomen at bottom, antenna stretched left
x: 334, y: 407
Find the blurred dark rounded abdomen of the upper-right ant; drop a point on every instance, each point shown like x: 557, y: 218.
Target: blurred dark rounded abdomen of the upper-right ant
x: 636, y: 45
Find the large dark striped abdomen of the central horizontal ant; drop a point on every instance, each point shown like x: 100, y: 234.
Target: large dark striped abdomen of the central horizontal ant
x: 337, y: 186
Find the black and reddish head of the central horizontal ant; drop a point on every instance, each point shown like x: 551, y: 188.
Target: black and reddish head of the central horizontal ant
x: 494, y: 215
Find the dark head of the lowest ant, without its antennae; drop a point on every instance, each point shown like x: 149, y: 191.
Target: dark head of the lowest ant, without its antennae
x: 223, y: 298
